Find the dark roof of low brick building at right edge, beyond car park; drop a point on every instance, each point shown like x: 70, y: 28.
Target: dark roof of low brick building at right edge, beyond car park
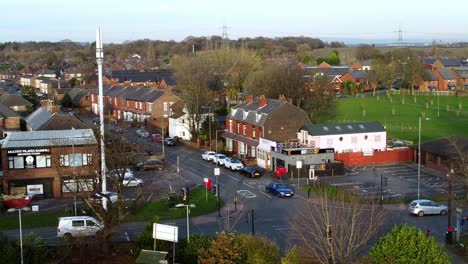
x: 443, y: 146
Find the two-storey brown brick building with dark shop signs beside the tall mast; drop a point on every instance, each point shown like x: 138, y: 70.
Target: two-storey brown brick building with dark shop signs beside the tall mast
x: 50, y: 164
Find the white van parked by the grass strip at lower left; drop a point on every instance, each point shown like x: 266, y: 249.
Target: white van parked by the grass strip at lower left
x: 78, y: 226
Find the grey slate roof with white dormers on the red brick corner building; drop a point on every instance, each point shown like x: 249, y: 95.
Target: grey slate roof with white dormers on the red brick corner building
x: 254, y: 114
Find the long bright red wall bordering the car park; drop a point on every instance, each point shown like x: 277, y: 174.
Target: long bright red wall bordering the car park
x: 379, y: 157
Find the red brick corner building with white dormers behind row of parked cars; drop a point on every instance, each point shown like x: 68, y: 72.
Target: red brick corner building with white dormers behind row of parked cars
x: 275, y: 120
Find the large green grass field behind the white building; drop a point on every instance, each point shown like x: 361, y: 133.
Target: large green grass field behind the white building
x: 399, y: 115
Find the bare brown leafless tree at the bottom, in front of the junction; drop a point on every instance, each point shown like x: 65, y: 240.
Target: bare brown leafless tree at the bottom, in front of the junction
x: 335, y: 230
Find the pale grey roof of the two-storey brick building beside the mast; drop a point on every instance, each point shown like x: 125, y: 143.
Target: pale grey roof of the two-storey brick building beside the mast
x: 50, y: 138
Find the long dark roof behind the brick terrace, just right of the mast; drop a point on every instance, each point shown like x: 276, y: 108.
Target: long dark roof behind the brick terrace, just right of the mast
x: 148, y: 76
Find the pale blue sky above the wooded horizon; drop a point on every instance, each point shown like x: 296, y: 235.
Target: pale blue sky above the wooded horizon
x: 368, y: 20
